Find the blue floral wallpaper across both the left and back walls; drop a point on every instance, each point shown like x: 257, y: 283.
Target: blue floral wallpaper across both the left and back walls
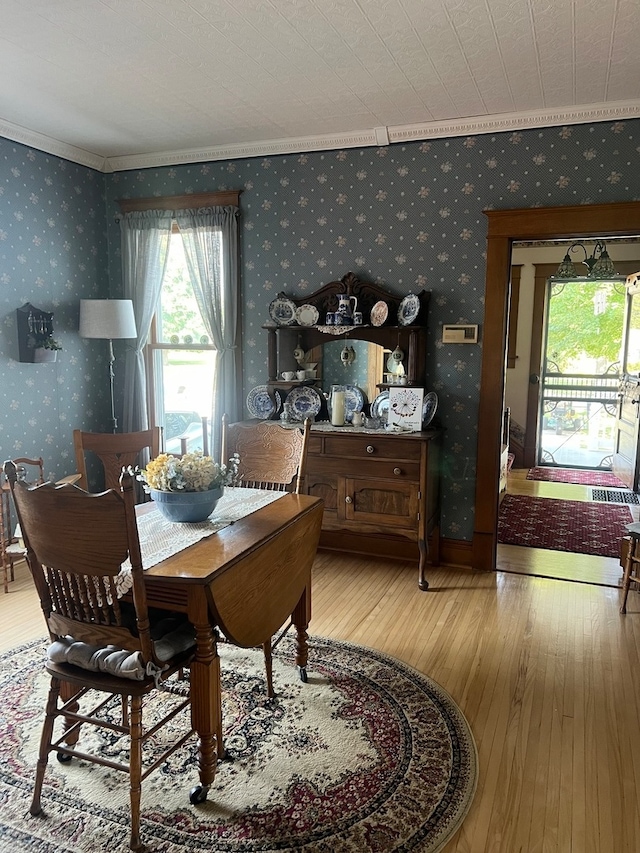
x: 407, y: 216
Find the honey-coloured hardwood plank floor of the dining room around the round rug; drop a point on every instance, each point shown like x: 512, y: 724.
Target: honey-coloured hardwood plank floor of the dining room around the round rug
x: 546, y: 672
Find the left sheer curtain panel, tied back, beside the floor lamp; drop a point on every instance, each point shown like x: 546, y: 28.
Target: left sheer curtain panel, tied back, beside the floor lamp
x: 145, y: 240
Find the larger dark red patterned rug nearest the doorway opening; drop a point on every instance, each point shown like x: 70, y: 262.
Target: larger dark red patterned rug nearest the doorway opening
x: 575, y: 526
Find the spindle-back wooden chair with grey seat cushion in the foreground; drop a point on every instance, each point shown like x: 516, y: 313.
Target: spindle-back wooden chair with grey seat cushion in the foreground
x: 76, y: 543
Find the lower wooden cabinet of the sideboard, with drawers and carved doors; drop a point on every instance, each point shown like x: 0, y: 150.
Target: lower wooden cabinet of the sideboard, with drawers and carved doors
x: 380, y: 492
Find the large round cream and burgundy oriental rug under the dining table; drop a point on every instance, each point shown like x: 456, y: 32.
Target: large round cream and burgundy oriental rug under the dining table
x: 368, y: 755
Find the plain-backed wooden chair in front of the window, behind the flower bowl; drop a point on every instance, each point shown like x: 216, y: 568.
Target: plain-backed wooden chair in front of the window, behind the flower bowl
x: 115, y: 451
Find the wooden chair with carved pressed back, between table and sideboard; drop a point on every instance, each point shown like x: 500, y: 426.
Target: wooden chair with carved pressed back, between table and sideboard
x: 271, y: 457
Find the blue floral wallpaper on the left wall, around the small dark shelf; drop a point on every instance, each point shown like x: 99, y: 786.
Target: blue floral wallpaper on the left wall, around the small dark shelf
x: 53, y: 252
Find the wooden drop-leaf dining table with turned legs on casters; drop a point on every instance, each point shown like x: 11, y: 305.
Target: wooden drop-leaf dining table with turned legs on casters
x: 245, y: 581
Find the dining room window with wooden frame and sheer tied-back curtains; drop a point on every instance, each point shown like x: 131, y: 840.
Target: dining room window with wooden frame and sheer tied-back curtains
x: 186, y: 363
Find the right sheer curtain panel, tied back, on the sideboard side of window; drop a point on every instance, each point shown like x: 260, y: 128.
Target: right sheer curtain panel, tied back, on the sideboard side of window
x: 210, y: 239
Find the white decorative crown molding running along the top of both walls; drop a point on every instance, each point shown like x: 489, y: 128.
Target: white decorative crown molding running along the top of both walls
x: 373, y: 137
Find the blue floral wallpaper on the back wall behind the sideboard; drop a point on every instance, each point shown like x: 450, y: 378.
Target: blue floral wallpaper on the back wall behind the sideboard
x: 406, y: 216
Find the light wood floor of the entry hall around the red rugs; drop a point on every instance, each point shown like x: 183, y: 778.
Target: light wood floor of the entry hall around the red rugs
x: 585, y: 568
